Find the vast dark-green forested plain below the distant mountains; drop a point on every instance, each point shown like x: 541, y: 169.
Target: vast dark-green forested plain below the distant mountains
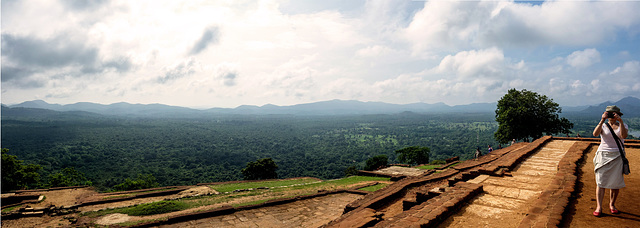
x: 214, y: 148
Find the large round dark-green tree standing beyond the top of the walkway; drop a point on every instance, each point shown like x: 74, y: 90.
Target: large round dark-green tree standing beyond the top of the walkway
x: 526, y: 114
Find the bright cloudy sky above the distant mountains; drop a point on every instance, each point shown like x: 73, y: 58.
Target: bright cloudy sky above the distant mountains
x: 227, y: 53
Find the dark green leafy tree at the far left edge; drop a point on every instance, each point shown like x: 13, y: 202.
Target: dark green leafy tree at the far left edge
x: 16, y: 175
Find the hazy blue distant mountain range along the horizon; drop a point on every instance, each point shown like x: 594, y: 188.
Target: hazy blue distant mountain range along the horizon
x: 630, y: 107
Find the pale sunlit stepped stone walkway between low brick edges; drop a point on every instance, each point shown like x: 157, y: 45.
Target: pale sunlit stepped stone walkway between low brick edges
x: 506, y: 200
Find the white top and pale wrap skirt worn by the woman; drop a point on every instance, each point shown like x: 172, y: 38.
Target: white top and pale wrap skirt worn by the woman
x: 608, y: 161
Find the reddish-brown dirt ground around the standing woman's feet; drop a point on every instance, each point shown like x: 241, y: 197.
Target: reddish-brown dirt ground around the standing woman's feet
x: 580, y: 214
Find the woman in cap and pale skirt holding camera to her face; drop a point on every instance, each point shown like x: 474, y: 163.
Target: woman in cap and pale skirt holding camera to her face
x: 608, y: 161
